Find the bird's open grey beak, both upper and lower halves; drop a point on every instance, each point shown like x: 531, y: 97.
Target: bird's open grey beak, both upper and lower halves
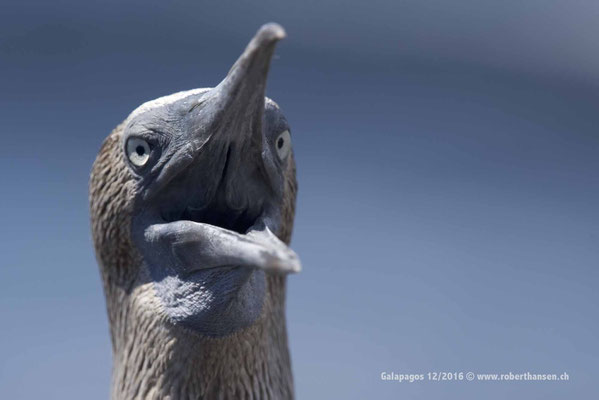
x: 233, y: 111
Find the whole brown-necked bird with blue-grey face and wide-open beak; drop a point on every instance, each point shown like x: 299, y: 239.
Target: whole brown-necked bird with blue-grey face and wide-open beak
x: 192, y: 203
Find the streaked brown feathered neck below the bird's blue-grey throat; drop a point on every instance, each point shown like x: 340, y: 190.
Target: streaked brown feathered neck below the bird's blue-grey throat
x: 154, y: 359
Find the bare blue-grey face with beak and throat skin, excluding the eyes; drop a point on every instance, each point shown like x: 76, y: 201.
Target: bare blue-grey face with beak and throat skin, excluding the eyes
x: 209, y: 196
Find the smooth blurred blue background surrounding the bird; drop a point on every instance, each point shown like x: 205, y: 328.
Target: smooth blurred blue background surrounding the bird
x: 448, y: 161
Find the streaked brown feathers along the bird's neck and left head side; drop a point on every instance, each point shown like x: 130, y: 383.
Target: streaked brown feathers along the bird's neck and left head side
x: 154, y: 359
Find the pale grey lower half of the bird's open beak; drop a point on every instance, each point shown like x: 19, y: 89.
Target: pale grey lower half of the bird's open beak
x: 195, y: 246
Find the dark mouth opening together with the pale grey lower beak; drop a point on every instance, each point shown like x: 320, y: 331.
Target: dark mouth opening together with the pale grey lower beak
x: 217, y: 235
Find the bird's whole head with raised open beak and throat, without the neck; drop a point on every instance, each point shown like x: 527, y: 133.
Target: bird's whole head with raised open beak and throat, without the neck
x: 193, y: 196
